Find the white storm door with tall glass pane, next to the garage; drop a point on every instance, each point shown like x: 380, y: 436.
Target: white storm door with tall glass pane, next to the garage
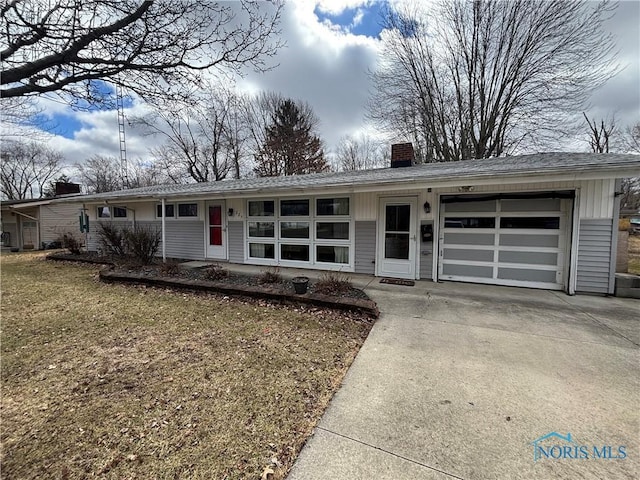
x: 397, y: 238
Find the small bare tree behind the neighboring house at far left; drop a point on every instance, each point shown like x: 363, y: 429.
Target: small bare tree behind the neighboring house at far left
x: 26, y: 169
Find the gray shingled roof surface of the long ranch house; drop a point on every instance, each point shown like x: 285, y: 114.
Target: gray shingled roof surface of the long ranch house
x: 547, y: 164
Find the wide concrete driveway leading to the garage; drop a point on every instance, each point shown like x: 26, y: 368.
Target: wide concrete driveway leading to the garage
x: 456, y: 381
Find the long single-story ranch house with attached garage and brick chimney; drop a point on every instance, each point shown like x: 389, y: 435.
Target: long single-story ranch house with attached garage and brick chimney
x: 541, y: 221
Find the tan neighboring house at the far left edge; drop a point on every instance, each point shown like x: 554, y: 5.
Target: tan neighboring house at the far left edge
x: 27, y: 224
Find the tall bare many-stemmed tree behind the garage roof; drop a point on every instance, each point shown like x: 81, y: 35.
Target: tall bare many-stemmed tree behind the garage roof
x: 475, y: 79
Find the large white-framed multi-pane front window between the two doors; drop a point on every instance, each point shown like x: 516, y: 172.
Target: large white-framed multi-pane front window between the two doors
x: 301, y: 232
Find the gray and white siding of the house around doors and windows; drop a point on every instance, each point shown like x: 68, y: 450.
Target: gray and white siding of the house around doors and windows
x: 185, y: 237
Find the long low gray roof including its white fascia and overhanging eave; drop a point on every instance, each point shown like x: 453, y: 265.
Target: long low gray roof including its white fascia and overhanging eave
x: 556, y: 167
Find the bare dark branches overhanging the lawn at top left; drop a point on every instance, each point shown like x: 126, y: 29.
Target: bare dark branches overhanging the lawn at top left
x: 153, y: 48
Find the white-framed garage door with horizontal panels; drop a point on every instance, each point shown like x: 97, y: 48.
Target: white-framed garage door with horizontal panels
x: 505, y: 241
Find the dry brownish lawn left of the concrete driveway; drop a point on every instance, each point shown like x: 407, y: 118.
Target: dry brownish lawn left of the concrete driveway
x: 115, y: 381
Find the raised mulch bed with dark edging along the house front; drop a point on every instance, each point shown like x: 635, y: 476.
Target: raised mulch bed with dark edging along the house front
x: 233, y: 284
